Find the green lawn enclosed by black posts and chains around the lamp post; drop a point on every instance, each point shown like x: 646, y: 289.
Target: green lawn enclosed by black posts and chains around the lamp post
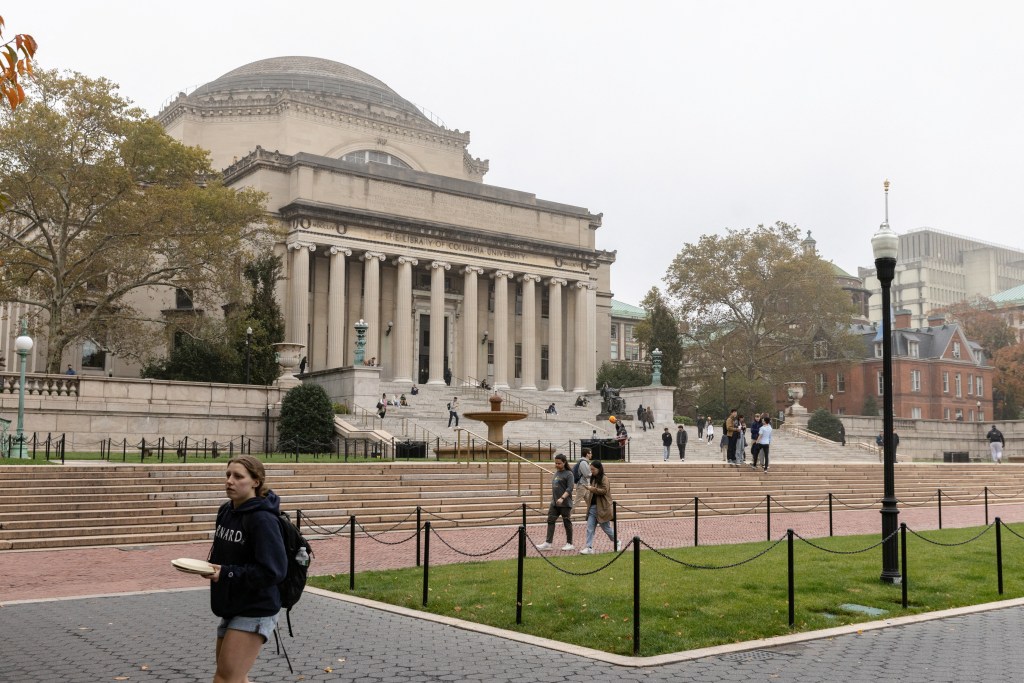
x: 685, y: 609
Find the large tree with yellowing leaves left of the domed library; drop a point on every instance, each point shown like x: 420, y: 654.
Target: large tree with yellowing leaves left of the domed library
x: 103, y: 204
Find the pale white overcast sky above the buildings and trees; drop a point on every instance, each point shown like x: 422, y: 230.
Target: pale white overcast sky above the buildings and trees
x: 673, y: 119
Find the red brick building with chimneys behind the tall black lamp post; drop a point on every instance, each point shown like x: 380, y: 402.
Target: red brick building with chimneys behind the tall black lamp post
x: 938, y: 374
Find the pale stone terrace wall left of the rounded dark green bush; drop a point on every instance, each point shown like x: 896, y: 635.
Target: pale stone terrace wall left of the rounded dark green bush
x: 91, y: 409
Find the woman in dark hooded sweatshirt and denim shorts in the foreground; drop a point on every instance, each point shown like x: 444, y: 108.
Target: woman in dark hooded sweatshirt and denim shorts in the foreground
x: 249, y: 562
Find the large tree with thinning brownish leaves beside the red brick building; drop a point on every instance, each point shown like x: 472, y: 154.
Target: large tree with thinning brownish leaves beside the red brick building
x: 755, y: 302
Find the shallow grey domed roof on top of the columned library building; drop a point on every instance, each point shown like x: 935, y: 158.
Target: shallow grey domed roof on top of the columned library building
x: 309, y: 75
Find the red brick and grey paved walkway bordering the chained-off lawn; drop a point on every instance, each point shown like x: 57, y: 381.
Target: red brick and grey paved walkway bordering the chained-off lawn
x: 167, y: 634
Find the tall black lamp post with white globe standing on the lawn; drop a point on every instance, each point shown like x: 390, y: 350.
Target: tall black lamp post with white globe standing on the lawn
x: 885, y: 245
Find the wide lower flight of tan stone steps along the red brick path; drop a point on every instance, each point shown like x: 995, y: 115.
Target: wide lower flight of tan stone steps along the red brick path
x: 103, y: 505
